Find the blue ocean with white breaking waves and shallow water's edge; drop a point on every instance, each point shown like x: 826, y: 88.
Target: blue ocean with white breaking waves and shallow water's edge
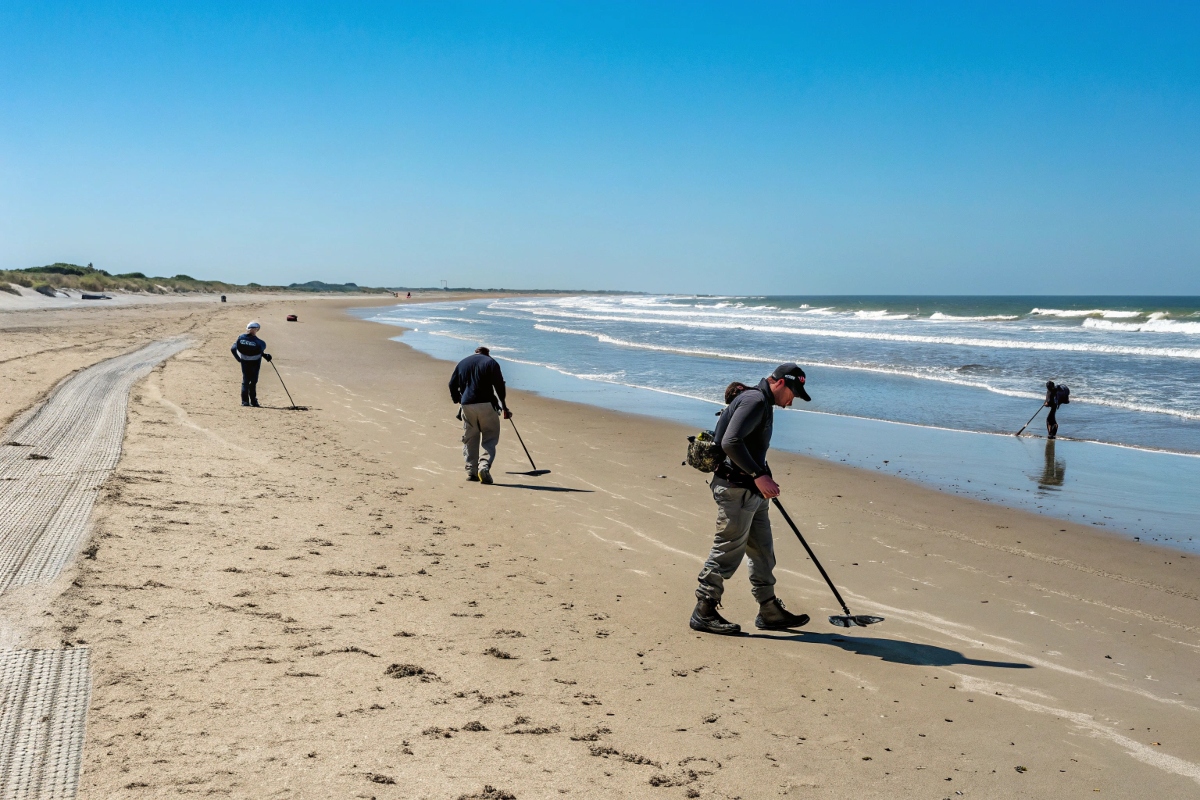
x: 927, y: 388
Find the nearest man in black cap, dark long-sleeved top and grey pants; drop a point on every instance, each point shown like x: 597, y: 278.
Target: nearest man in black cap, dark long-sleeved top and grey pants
x: 743, y: 488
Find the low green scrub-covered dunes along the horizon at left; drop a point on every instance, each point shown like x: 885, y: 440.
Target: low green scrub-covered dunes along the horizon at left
x: 51, y: 278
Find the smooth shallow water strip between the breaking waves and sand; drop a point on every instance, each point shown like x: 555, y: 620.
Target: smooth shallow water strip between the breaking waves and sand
x: 994, y: 468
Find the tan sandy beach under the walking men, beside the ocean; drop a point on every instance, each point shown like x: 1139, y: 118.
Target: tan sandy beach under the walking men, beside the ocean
x: 316, y: 604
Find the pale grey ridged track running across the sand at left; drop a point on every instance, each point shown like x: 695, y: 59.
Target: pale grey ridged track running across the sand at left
x: 53, y: 461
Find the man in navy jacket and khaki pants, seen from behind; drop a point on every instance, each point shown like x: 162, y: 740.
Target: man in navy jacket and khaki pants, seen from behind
x: 478, y: 387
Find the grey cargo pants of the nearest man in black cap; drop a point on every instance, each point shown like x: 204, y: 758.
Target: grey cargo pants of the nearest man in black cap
x: 742, y: 528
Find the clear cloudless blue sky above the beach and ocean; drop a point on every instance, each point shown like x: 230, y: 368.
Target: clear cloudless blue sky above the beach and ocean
x: 719, y: 148
